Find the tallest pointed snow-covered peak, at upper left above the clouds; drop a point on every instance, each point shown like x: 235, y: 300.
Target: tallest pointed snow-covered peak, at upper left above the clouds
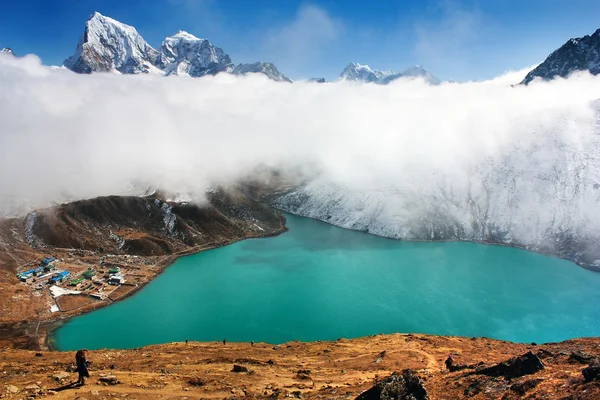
x: 109, y: 45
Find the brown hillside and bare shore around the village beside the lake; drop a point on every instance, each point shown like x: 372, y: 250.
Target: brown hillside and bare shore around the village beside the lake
x: 139, y: 235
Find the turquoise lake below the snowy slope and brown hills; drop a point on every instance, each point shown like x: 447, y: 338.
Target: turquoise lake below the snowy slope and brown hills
x: 319, y: 282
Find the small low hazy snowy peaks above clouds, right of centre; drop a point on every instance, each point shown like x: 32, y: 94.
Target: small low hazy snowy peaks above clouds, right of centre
x: 364, y: 73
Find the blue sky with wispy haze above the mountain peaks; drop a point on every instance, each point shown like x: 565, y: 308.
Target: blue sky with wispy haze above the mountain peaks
x: 454, y: 39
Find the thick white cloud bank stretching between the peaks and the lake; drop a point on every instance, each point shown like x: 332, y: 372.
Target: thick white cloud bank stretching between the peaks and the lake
x: 68, y: 135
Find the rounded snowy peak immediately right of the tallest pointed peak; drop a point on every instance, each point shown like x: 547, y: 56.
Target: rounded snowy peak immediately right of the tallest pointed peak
x: 185, y: 54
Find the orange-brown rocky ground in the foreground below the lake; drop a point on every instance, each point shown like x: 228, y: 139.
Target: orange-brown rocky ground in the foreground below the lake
x: 378, y: 367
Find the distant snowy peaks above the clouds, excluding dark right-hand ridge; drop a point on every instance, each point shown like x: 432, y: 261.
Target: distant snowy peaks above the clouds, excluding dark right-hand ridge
x: 108, y: 45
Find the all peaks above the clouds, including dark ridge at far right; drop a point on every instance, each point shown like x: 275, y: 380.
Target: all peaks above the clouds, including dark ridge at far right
x: 108, y: 45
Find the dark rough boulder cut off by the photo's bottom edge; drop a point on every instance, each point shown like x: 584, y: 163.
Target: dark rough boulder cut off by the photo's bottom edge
x: 404, y: 386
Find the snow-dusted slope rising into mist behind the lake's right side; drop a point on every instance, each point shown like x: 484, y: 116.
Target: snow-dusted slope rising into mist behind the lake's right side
x: 529, y: 195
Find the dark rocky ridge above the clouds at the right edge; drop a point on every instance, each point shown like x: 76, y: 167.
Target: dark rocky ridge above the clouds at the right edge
x: 578, y: 54
